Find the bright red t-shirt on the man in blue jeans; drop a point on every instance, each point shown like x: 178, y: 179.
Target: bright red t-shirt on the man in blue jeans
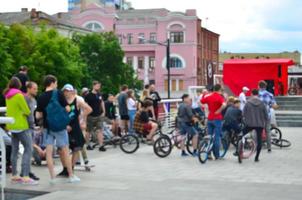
x: 214, y: 101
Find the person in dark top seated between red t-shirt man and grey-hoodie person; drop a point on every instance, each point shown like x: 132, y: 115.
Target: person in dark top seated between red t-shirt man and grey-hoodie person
x: 233, y: 118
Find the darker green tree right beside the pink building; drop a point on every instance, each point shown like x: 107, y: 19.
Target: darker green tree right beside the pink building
x: 103, y: 57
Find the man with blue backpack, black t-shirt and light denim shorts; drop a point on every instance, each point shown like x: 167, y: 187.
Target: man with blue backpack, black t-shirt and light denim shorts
x: 53, y: 108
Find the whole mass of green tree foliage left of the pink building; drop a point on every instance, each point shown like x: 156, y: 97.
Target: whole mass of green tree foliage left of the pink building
x: 77, y: 61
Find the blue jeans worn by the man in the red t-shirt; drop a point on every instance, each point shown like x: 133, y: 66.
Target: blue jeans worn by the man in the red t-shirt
x: 215, y: 127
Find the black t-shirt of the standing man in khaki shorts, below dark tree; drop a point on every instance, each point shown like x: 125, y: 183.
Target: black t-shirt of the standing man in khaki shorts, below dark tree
x: 94, y: 101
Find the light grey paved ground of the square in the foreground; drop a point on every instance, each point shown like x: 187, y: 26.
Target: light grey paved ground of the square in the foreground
x: 142, y: 175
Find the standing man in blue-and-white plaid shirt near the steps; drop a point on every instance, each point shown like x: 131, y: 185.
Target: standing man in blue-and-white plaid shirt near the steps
x: 269, y: 101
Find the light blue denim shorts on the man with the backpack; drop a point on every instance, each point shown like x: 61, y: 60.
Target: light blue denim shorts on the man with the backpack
x: 60, y: 138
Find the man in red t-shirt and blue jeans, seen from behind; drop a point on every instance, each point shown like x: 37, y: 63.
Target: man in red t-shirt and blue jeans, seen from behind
x: 216, y: 104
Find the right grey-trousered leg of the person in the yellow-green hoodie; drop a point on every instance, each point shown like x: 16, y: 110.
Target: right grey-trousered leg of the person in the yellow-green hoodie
x: 26, y: 140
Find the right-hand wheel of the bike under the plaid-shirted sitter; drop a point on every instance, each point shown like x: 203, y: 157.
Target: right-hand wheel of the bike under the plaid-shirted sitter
x: 162, y: 146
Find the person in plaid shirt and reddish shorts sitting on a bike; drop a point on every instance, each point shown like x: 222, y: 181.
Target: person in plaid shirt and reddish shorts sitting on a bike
x: 142, y: 122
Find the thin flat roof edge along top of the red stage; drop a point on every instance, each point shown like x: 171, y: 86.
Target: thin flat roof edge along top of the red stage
x: 259, y: 61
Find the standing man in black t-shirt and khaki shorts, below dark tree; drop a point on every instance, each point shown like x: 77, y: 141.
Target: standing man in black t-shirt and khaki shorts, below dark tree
x: 95, y: 120
